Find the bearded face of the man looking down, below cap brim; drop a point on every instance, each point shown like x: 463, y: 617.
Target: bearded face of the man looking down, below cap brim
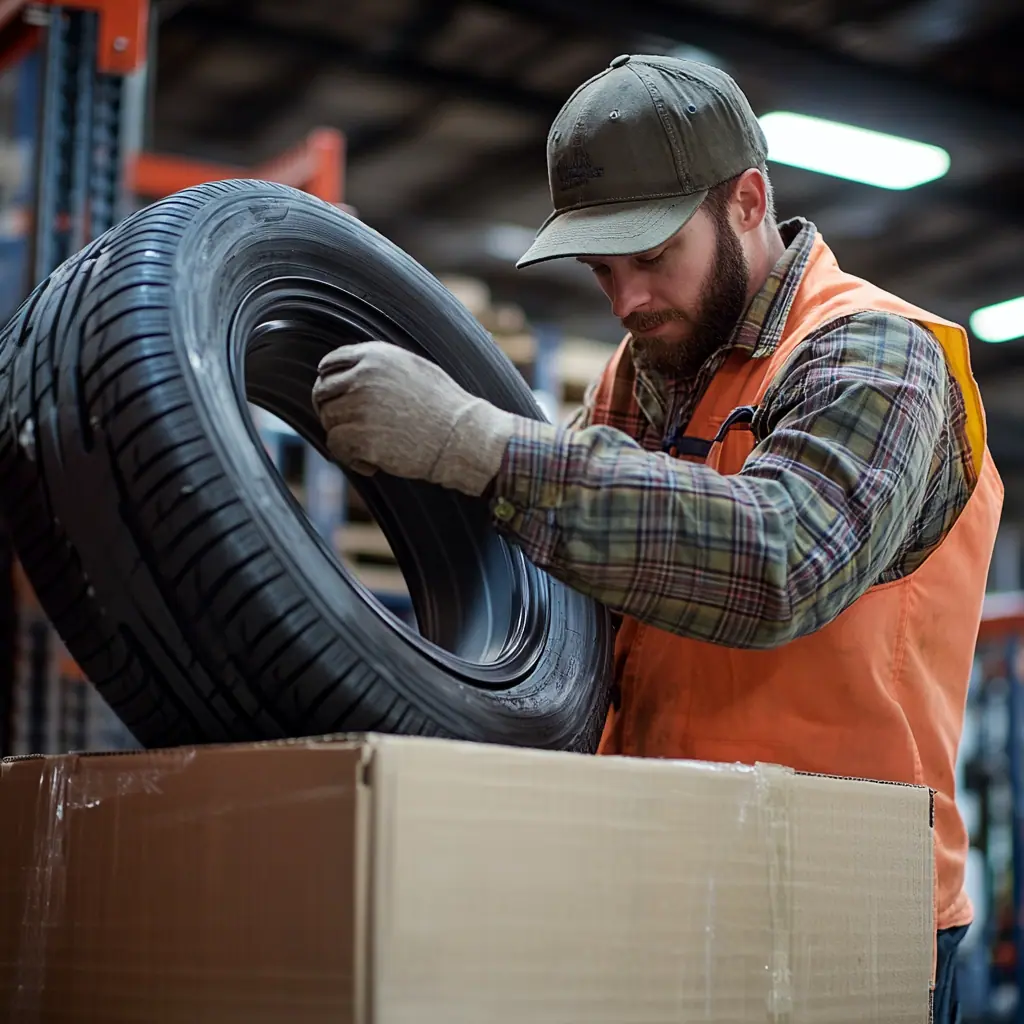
x: 682, y: 301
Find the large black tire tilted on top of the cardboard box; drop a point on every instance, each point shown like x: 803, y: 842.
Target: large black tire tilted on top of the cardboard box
x: 176, y: 565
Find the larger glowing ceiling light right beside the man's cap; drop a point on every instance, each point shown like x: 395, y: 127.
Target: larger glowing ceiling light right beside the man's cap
x: 847, y: 152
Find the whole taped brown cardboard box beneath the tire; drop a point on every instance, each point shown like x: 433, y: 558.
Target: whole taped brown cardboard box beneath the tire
x: 395, y: 881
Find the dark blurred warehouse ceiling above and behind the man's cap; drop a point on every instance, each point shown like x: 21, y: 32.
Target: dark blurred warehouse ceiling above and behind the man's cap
x: 447, y: 105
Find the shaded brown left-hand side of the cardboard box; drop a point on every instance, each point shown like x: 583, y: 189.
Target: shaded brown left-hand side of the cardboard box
x: 185, y: 886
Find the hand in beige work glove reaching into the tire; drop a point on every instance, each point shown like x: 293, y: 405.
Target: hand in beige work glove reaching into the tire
x: 387, y: 409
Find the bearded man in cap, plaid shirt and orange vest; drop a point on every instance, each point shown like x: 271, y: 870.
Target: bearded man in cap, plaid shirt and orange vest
x: 781, y: 481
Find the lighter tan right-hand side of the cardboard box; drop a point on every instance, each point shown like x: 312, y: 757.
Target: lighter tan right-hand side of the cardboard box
x: 514, y: 885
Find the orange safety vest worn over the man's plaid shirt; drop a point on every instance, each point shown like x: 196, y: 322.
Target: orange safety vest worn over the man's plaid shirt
x: 877, y: 694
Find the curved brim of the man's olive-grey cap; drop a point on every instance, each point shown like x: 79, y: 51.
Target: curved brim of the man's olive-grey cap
x: 612, y: 229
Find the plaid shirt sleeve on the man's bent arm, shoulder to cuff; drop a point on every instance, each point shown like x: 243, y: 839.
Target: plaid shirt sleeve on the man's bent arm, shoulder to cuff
x: 755, y: 560
